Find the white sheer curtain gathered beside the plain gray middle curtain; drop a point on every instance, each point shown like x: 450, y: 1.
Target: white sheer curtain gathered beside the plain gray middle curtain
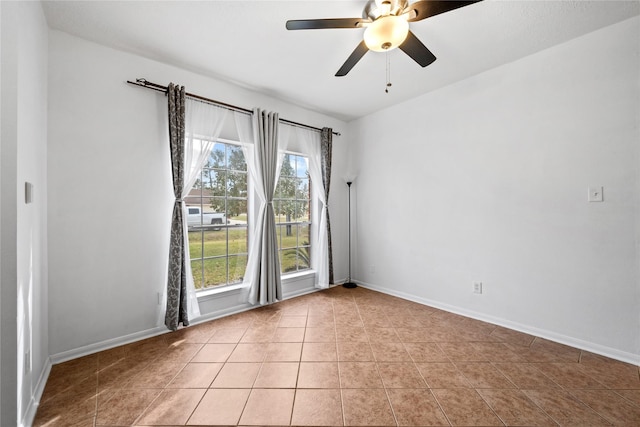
x: 245, y: 127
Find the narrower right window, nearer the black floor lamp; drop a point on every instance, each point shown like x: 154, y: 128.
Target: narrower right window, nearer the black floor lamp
x: 291, y: 203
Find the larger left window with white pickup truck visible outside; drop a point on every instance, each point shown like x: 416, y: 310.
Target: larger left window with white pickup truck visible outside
x: 218, y: 219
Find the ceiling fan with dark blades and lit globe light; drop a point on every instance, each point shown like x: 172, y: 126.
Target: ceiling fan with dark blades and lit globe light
x: 387, y: 27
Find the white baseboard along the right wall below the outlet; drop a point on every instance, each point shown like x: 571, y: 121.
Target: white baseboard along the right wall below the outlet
x: 527, y: 329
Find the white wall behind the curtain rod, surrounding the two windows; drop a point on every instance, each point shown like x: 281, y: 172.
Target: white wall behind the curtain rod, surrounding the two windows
x: 108, y: 163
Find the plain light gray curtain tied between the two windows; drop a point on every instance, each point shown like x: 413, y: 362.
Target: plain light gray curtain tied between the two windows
x: 266, y: 286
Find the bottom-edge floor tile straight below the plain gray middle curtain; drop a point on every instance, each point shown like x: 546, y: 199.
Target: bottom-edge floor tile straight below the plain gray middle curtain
x: 268, y: 407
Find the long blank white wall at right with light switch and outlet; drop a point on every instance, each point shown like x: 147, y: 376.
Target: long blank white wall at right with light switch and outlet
x: 486, y: 180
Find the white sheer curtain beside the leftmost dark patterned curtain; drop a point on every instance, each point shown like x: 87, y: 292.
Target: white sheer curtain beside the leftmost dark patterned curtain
x: 203, y: 124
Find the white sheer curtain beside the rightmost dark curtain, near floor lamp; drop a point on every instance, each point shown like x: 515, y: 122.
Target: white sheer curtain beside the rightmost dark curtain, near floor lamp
x: 310, y: 141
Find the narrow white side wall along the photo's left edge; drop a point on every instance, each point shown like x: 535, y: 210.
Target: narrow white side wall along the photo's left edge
x: 24, y: 226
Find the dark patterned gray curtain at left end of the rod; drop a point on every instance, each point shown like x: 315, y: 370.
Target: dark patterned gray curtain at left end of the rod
x: 177, y: 280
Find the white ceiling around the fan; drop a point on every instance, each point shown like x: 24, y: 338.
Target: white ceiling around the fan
x: 246, y: 42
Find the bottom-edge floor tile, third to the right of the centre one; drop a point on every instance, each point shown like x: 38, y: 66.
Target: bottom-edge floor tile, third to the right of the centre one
x: 465, y: 407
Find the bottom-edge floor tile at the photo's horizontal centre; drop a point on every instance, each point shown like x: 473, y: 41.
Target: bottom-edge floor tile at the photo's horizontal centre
x: 317, y: 408
